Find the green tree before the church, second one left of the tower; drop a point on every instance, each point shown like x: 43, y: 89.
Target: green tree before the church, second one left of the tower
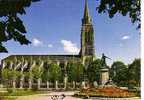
x: 54, y: 72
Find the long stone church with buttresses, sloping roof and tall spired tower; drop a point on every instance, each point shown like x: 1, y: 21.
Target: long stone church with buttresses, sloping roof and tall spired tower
x: 24, y: 63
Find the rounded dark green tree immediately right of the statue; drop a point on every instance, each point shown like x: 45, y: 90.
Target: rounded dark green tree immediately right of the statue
x: 118, y: 73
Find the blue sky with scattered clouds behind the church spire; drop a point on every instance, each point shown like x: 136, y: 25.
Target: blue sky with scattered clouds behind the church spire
x: 53, y: 27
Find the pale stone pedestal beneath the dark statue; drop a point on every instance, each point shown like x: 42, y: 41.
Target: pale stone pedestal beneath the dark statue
x: 104, y: 76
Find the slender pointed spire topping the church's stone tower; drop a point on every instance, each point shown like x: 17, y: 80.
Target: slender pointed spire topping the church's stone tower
x: 86, y: 18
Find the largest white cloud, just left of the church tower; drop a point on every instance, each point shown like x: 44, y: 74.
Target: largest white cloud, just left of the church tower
x: 70, y: 47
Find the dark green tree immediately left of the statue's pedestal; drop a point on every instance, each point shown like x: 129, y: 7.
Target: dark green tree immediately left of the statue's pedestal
x: 93, y: 71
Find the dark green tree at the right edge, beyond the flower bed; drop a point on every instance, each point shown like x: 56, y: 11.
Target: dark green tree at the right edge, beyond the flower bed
x: 134, y: 73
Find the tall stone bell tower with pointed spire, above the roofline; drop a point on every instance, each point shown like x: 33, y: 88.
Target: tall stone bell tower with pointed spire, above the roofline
x: 87, y: 34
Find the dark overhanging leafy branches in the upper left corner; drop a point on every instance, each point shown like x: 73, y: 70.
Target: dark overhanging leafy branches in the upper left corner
x: 11, y: 26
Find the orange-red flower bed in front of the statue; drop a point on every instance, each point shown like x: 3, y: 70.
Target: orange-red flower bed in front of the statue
x: 105, y: 92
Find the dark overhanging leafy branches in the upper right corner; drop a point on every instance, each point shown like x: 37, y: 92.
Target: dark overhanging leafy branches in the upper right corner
x: 124, y: 7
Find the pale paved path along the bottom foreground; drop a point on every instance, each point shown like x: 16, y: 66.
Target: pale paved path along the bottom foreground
x: 68, y: 97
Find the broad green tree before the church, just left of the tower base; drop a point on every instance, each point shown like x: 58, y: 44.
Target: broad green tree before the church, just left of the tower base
x: 75, y: 72
